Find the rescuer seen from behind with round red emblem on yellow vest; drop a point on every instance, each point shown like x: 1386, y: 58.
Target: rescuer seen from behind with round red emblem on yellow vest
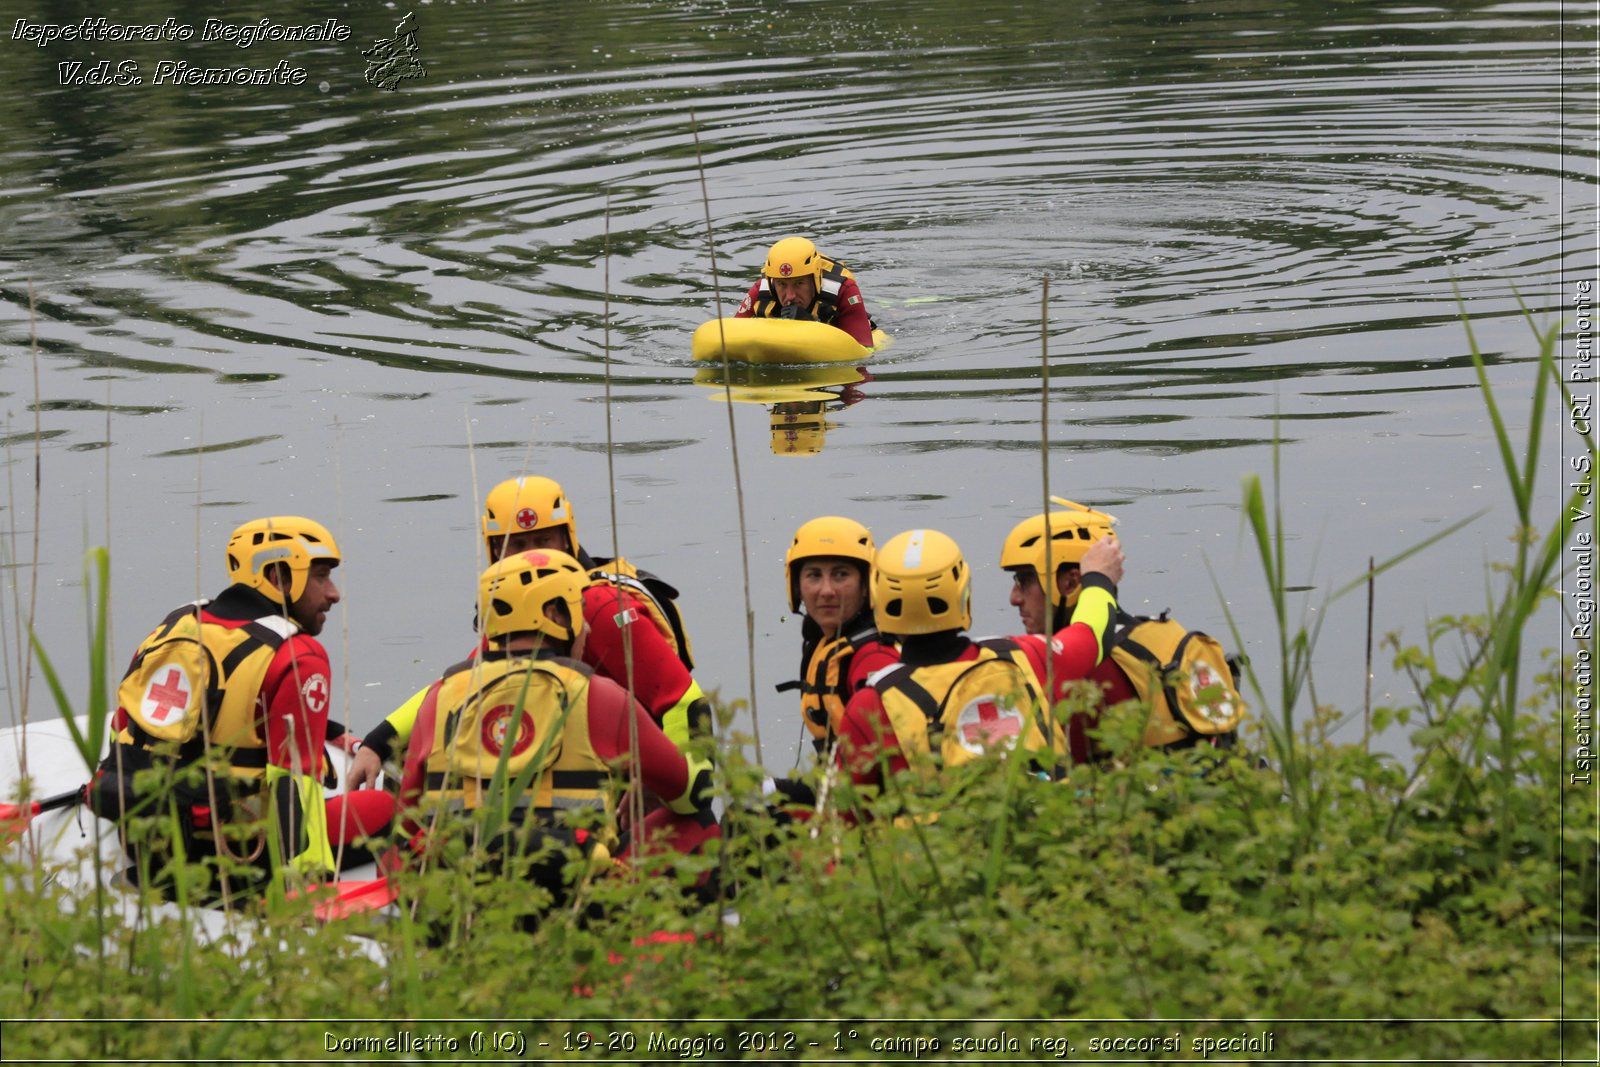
x: 527, y: 698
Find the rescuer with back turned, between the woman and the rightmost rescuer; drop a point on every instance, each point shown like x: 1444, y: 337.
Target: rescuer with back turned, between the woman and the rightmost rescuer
x: 954, y: 698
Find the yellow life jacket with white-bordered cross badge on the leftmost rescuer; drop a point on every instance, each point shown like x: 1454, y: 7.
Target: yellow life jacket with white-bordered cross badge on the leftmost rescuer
x: 196, y: 685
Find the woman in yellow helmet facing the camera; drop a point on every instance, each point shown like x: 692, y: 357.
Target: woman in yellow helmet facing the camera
x: 828, y: 572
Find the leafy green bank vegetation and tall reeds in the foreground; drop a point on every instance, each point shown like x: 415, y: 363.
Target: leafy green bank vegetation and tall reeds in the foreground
x: 1305, y: 897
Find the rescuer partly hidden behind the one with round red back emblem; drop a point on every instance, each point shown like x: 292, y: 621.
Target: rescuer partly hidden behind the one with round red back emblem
x: 634, y: 633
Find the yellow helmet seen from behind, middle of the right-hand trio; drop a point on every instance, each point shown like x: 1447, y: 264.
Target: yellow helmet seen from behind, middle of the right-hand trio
x: 921, y: 585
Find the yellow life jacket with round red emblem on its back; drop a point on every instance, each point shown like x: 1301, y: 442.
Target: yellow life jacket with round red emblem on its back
x: 478, y: 719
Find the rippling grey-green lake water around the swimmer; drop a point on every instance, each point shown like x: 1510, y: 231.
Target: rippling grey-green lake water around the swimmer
x: 372, y: 306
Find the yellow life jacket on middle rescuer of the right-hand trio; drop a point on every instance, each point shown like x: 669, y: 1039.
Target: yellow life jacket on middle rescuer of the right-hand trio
x: 972, y: 708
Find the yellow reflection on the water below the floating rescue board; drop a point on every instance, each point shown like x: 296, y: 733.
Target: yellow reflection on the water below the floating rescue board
x: 799, y: 399
